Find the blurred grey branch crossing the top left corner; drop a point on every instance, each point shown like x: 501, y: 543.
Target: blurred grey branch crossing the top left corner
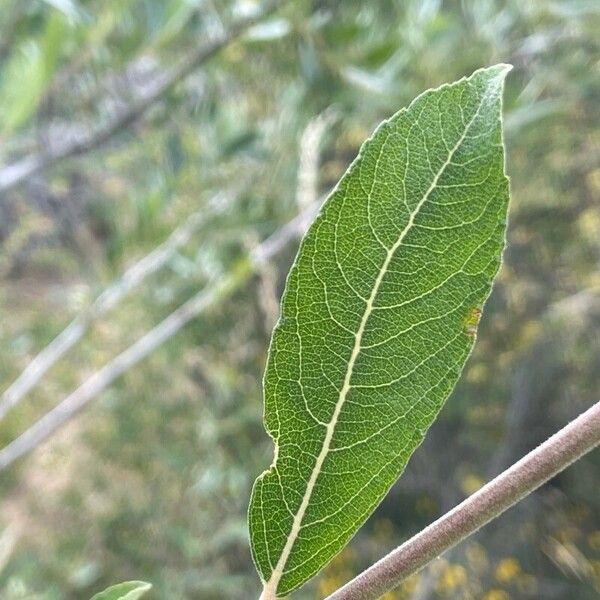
x: 16, y: 173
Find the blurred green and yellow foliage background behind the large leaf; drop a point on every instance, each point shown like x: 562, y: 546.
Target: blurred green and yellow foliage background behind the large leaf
x: 147, y: 149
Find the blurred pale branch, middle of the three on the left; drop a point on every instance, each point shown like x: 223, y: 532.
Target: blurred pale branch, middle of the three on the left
x: 131, y: 279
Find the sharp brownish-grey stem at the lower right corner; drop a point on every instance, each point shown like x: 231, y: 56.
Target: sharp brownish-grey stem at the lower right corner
x: 573, y: 441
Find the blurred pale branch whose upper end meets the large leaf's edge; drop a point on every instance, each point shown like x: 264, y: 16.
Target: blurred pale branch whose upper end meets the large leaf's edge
x: 217, y: 292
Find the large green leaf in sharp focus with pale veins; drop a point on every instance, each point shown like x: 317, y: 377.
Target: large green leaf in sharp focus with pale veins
x: 378, y: 318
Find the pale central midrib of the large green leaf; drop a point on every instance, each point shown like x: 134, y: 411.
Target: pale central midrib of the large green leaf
x: 270, y: 588
